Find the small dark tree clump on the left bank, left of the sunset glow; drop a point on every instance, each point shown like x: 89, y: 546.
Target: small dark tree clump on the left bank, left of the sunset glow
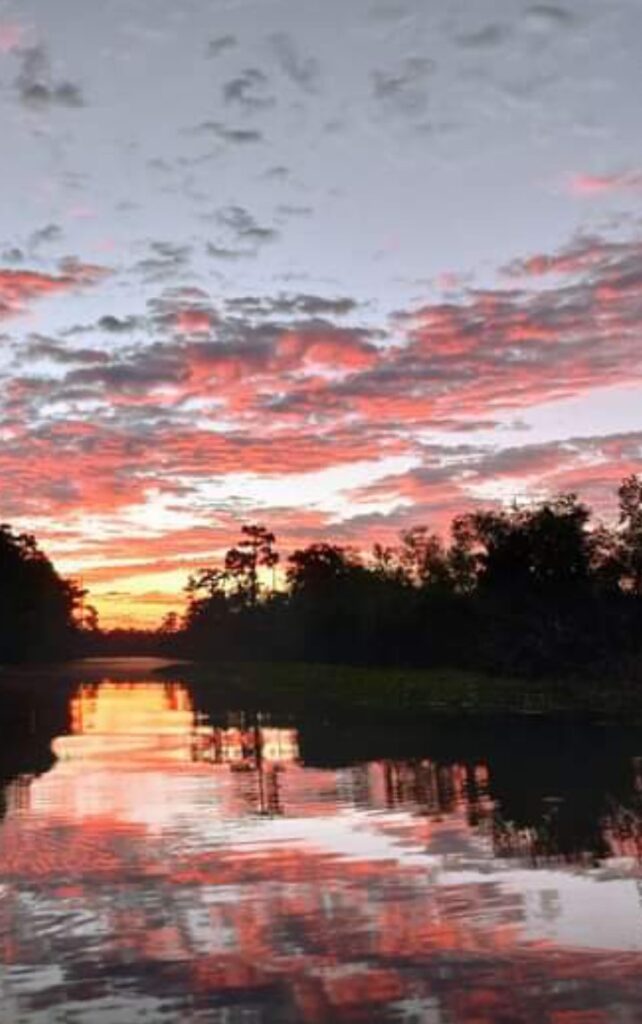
x: 37, y: 607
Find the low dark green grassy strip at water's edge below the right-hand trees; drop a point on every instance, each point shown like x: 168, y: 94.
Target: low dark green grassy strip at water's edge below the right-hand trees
x: 407, y: 693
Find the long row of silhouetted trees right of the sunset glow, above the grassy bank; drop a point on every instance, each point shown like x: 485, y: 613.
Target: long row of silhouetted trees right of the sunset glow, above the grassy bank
x: 538, y: 590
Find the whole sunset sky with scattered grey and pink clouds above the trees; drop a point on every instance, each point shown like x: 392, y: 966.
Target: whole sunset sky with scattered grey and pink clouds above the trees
x: 336, y: 268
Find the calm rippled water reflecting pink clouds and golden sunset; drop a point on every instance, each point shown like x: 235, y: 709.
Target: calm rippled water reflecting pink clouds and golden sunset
x: 164, y: 859
